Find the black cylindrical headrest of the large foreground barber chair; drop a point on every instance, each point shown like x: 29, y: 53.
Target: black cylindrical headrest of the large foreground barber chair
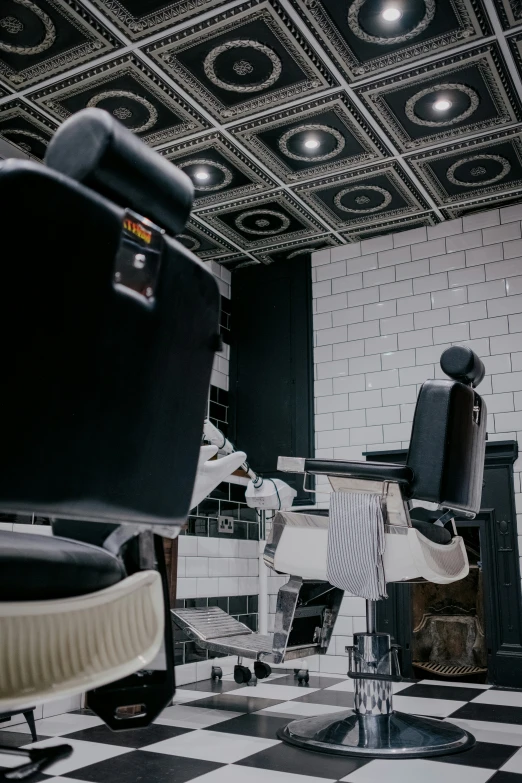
x: 93, y: 148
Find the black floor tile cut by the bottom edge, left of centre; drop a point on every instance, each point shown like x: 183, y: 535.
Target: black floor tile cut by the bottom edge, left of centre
x: 144, y: 767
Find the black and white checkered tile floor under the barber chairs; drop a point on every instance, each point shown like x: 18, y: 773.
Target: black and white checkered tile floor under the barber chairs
x: 225, y: 733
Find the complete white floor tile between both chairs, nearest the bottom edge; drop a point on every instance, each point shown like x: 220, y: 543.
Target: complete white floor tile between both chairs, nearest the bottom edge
x: 211, y: 746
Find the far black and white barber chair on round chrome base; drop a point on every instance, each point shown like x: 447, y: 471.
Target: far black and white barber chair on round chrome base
x: 444, y: 467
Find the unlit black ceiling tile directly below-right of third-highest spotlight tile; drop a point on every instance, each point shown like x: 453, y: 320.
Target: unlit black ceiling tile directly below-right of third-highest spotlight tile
x: 363, y: 197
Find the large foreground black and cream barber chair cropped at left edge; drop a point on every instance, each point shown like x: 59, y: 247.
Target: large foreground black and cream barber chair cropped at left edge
x: 109, y: 332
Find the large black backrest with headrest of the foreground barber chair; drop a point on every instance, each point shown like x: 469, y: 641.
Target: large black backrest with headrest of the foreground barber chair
x: 109, y: 328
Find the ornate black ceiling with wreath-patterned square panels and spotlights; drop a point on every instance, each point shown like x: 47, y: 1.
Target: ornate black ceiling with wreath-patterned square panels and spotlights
x: 303, y: 123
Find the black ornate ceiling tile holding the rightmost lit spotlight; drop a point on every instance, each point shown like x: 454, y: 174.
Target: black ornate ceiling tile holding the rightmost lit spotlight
x: 475, y: 84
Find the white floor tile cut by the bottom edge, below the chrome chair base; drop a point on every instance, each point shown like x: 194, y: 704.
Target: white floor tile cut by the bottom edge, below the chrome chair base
x: 413, y: 770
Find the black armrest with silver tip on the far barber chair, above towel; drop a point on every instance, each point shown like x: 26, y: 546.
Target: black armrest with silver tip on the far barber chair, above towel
x: 372, y: 471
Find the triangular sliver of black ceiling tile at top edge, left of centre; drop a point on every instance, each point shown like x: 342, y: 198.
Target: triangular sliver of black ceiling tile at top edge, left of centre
x: 140, y: 18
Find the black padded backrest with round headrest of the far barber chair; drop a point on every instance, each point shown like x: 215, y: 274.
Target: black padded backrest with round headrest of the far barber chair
x: 448, y: 438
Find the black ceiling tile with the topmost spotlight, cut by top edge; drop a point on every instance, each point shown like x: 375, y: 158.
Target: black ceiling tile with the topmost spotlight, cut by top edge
x: 362, y: 42
